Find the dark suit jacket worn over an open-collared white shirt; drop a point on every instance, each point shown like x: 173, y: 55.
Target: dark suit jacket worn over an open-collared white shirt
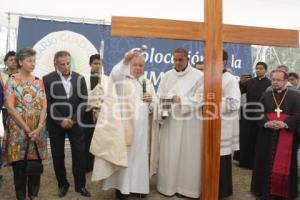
x: 59, y: 105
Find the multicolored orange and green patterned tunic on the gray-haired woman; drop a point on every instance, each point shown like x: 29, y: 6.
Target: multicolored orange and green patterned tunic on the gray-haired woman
x: 28, y: 96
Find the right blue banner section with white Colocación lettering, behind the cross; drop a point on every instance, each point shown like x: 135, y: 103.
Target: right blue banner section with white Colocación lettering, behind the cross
x: 159, y: 55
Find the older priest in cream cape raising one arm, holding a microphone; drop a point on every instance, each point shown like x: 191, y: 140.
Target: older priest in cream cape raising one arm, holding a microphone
x: 121, y: 138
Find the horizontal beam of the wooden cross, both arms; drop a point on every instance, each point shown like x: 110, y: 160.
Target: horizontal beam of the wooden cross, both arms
x: 189, y: 30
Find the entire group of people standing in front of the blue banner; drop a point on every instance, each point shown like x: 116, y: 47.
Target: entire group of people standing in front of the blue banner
x: 124, y: 131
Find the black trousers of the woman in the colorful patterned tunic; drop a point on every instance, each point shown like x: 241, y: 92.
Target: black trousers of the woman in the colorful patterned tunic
x: 21, y: 180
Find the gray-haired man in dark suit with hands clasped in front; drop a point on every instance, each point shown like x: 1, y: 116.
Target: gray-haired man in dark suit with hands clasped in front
x: 66, y: 93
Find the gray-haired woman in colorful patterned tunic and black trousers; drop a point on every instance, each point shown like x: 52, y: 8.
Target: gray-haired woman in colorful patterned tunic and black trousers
x: 25, y: 138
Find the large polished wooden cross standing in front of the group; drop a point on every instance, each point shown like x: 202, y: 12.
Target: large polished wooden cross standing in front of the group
x: 213, y: 33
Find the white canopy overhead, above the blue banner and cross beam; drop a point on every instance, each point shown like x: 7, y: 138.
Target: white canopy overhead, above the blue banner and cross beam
x: 266, y: 13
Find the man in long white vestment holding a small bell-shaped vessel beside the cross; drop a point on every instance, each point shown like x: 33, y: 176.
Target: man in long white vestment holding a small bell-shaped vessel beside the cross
x: 180, y: 134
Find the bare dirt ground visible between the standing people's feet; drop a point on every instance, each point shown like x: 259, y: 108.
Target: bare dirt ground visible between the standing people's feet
x: 48, y: 190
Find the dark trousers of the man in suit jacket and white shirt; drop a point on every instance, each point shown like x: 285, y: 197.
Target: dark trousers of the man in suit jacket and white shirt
x: 57, y: 143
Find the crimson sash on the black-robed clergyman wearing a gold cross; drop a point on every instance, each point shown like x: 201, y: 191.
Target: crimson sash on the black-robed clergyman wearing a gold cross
x: 282, y: 161
